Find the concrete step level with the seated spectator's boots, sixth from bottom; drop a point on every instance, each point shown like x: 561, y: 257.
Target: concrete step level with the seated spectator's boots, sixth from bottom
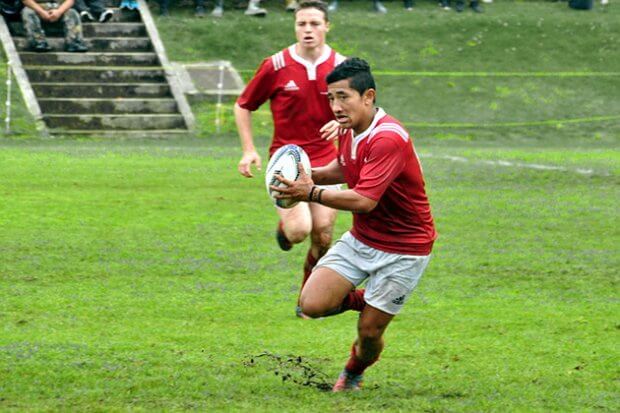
x: 97, y: 44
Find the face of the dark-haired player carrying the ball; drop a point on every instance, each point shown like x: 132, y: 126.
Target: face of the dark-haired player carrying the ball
x: 352, y: 110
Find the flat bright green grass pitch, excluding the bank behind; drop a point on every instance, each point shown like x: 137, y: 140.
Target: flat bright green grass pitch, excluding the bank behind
x: 144, y: 275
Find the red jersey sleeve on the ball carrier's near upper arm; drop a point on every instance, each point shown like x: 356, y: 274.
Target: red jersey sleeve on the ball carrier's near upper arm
x: 383, y: 162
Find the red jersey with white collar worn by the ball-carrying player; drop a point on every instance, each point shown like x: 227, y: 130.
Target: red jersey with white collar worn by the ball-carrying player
x: 381, y: 164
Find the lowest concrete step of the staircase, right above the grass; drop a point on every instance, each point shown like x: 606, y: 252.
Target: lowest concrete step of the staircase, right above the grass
x: 117, y: 122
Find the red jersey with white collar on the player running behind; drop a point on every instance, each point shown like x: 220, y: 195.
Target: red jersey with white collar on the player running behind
x: 298, y: 93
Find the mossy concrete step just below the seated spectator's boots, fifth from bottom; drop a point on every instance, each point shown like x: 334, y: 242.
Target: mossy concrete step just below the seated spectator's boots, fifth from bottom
x: 89, y: 59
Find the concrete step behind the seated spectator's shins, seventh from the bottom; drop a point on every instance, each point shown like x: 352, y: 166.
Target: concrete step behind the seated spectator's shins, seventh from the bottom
x: 119, y: 29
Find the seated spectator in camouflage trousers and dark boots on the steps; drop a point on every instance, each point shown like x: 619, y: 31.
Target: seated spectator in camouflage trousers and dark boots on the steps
x: 34, y: 12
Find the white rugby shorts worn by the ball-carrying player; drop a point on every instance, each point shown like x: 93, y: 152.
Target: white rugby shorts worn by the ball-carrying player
x: 391, y: 278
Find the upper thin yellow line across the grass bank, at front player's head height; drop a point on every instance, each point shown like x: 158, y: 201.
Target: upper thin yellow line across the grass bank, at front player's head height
x: 481, y: 74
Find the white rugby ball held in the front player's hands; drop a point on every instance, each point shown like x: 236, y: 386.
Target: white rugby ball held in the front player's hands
x: 284, y: 162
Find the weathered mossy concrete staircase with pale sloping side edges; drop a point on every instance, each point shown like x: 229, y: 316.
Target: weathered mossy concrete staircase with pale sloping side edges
x: 123, y: 86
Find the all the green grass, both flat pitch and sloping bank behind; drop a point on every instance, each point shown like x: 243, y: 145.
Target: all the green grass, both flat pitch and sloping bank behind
x: 143, y: 275
